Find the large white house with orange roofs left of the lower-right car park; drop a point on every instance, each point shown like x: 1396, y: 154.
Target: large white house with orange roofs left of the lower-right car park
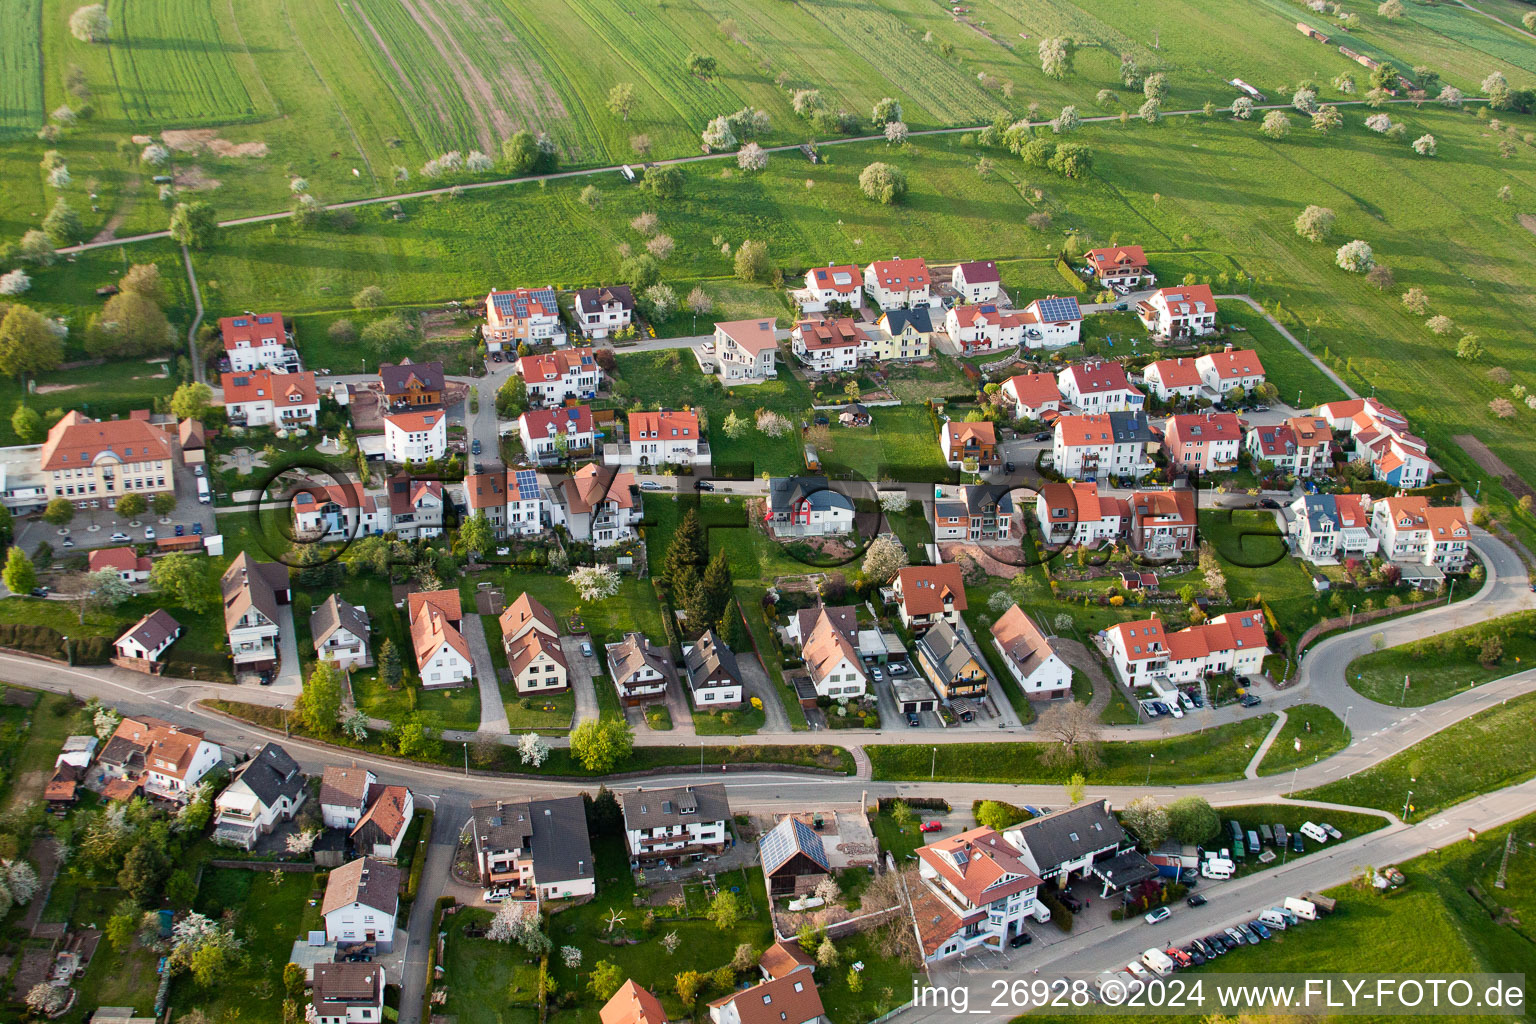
x: 978, y: 891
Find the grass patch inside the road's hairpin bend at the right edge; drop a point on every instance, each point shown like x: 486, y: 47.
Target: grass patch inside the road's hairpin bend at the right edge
x: 1445, y: 666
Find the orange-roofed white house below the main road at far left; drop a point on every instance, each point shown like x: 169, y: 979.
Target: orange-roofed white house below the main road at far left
x: 154, y: 758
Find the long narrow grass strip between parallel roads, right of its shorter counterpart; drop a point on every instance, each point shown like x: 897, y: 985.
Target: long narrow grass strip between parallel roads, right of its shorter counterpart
x: 1214, y: 756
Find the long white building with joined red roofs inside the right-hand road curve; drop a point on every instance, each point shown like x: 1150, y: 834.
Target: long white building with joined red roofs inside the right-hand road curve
x: 1145, y: 655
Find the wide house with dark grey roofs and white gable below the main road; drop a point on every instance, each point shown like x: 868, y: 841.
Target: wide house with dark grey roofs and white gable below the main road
x: 535, y: 847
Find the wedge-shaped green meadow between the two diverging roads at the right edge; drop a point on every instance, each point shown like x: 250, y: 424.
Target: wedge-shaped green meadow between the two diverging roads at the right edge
x: 1489, y: 751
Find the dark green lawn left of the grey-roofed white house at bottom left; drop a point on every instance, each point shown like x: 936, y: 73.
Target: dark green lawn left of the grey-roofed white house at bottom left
x: 273, y: 914
